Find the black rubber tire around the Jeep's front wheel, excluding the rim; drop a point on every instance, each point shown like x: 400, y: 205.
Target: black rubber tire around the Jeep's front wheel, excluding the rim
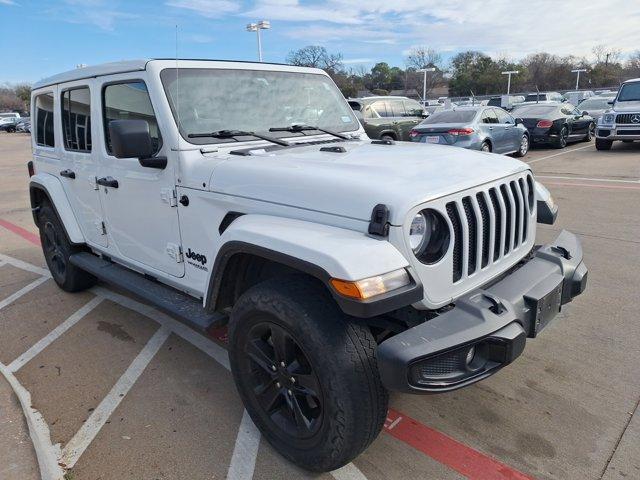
x: 341, y: 353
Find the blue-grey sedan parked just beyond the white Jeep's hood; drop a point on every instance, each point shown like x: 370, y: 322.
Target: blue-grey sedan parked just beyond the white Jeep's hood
x: 489, y: 129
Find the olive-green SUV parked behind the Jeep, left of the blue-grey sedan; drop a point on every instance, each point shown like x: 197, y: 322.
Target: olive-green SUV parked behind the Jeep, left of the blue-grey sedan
x: 388, y: 118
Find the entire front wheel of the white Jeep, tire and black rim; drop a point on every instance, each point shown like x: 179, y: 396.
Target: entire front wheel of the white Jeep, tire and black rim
x: 306, y: 372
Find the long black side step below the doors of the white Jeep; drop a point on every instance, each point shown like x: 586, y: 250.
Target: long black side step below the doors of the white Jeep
x: 186, y: 308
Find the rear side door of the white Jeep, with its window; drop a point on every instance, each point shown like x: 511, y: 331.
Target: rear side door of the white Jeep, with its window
x: 79, y: 159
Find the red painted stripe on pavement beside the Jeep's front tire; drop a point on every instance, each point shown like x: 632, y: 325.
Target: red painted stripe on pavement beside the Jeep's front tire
x: 444, y: 449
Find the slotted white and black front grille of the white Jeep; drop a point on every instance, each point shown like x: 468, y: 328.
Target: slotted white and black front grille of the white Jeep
x: 489, y: 225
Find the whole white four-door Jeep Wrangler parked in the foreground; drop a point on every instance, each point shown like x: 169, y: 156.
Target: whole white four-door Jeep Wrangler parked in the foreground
x: 248, y: 193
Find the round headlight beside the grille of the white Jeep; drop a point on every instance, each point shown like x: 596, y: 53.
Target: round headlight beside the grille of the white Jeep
x: 429, y: 236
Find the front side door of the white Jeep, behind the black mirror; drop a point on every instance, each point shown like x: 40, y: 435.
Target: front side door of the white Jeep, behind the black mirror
x: 139, y: 202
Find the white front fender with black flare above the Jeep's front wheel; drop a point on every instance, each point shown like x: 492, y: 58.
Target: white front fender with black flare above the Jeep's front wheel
x: 312, y: 249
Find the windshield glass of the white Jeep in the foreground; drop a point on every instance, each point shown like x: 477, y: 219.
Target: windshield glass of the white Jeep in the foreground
x: 210, y: 100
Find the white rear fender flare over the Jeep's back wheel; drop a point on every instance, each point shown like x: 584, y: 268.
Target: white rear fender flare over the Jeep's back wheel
x: 50, y: 187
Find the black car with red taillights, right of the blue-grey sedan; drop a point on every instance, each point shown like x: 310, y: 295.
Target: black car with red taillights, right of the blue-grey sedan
x: 555, y: 123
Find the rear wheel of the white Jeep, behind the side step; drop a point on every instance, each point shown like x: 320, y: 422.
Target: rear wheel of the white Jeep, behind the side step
x: 53, y: 237
